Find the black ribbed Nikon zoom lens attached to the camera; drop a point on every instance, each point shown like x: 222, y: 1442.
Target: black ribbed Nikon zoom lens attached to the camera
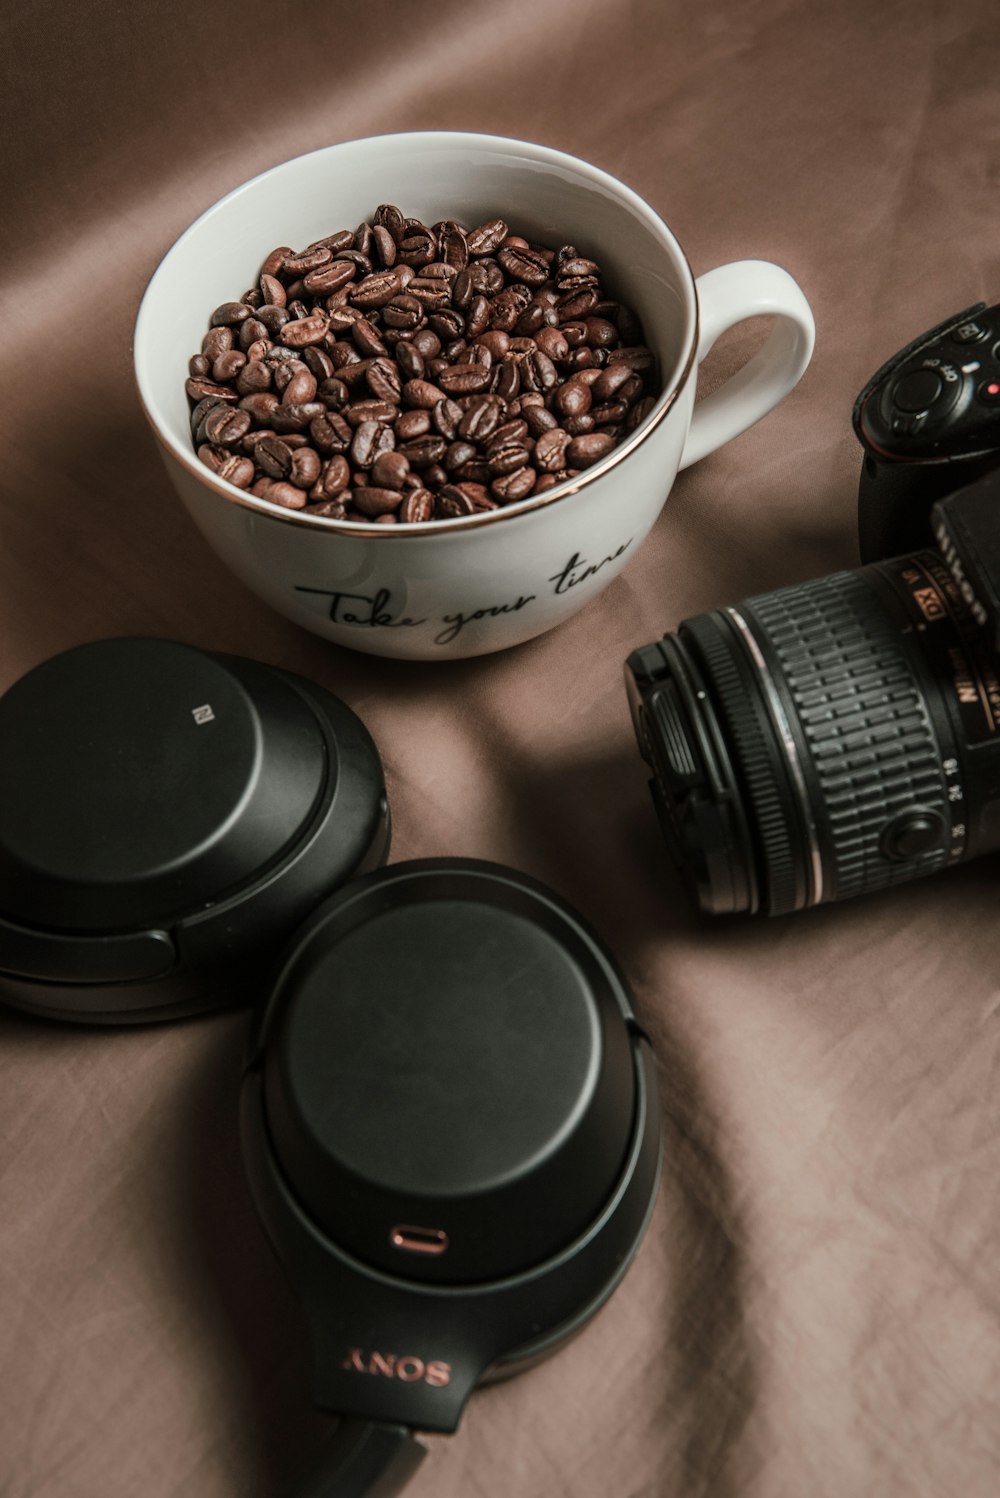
x: 823, y: 741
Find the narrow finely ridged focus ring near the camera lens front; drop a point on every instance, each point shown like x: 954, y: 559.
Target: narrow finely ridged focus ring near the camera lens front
x: 758, y: 760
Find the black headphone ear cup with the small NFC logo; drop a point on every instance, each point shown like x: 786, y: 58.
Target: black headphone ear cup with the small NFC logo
x: 177, y: 814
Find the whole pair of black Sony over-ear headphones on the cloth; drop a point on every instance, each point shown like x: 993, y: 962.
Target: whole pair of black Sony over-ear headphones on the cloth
x: 450, y: 1114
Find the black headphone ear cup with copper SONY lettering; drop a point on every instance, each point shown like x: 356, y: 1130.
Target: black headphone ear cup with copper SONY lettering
x: 451, y: 1133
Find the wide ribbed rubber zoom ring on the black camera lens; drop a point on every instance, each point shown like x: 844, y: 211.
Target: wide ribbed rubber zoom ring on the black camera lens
x: 862, y: 709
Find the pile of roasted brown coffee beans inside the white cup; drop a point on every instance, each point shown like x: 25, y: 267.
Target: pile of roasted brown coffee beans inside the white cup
x: 402, y: 372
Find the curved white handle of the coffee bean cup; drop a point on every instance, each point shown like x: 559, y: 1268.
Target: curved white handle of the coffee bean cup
x: 728, y: 296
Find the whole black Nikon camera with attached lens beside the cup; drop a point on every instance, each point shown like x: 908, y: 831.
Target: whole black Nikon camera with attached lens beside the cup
x: 844, y: 736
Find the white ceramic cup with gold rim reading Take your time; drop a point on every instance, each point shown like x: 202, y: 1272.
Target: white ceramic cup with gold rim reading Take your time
x: 462, y: 588
